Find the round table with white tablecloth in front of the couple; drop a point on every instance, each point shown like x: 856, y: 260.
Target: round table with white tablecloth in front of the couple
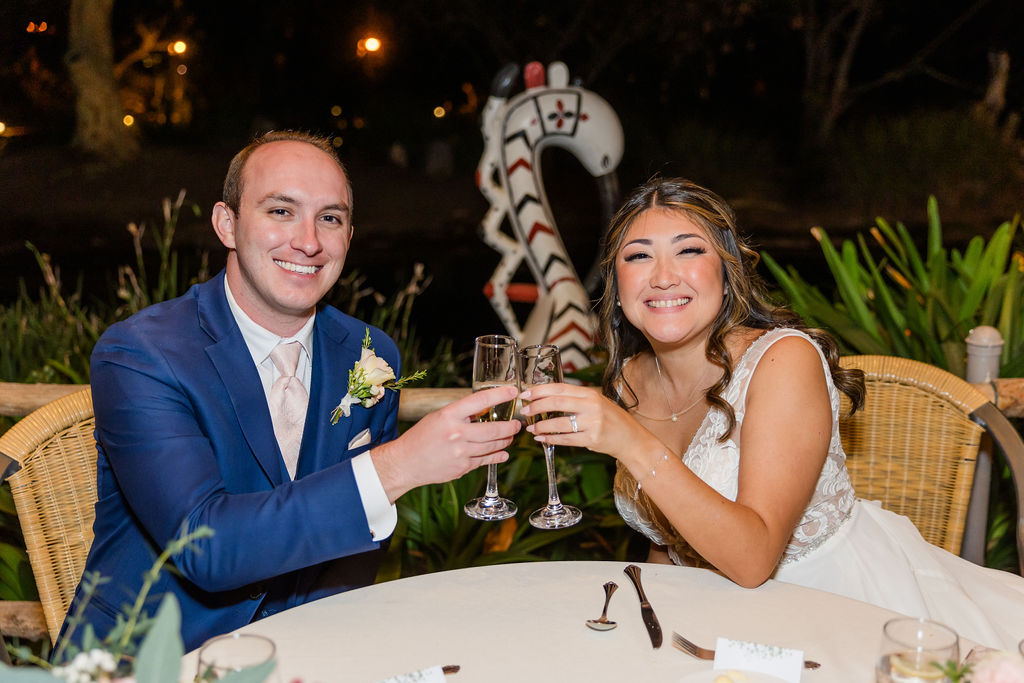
x: 526, y: 623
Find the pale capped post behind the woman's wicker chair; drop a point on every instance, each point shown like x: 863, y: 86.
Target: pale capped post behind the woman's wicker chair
x: 985, y: 347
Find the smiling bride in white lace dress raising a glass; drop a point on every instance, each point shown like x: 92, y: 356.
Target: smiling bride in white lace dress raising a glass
x: 722, y: 413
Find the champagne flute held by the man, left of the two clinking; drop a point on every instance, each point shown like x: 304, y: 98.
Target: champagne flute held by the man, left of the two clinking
x: 496, y: 363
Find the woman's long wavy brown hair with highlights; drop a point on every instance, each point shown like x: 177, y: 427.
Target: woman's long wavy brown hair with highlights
x: 746, y: 303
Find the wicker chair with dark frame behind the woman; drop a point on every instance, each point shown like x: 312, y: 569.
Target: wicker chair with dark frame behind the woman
x: 916, y: 445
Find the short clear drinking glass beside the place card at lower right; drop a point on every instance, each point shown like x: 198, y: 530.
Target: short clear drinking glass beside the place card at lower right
x: 916, y: 651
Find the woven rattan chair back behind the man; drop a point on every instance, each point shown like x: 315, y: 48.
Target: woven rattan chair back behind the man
x: 55, y: 494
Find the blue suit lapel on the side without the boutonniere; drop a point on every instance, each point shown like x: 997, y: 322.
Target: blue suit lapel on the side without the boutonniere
x: 241, y: 379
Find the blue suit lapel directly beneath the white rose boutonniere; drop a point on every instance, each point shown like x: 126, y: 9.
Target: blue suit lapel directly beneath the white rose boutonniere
x: 324, y: 444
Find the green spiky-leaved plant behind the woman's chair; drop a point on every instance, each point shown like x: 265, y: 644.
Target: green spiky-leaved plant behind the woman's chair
x: 914, y: 305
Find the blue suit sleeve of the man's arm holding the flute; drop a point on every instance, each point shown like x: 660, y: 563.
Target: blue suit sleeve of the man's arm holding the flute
x: 168, y: 448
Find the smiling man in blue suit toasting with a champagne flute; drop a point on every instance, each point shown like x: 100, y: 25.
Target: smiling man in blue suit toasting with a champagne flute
x: 185, y: 434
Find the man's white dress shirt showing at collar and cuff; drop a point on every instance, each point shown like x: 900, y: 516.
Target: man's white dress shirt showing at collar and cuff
x: 382, y: 517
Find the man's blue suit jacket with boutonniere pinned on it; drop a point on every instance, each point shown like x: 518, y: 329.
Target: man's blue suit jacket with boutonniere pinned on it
x: 185, y: 440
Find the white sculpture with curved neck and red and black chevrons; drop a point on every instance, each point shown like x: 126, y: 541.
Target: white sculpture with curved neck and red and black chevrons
x: 516, y: 133
